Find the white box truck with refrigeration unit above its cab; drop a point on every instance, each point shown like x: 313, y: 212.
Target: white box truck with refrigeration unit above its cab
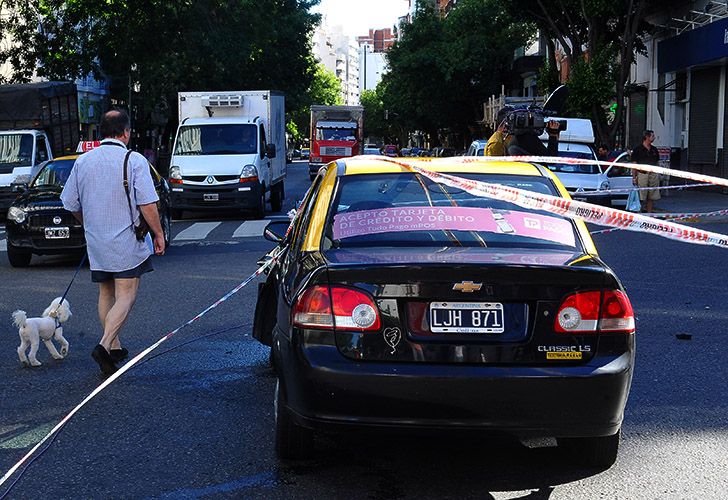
x: 229, y: 152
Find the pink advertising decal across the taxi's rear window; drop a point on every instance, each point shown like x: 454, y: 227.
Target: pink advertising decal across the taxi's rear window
x: 394, y: 219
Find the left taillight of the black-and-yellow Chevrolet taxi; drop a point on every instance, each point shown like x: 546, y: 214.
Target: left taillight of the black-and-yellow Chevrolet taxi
x: 341, y: 307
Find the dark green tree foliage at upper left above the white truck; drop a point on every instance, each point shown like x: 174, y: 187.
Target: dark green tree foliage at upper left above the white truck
x: 165, y: 46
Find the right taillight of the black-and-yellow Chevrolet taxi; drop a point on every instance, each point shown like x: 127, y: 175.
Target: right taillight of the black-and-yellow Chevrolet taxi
x: 589, y: 312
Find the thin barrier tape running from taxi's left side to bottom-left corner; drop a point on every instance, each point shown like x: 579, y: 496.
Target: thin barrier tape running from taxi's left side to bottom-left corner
x: 275, y: 254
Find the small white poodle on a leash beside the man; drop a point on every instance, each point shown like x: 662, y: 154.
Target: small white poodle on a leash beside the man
x: 33, y: 330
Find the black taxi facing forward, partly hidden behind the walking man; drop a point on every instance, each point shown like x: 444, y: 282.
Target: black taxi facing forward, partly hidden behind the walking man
x: 37, y: 223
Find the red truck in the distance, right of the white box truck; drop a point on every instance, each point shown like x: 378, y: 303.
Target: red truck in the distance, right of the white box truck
x: 336, y: 132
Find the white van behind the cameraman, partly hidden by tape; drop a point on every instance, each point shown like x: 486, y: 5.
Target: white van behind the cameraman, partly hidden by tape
x: 588, y: 182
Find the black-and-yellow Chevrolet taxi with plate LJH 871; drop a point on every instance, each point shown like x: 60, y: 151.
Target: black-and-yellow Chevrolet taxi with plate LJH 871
x: 388, y: 309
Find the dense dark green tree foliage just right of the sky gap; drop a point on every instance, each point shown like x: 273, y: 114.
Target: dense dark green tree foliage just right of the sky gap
x: 442, y: 70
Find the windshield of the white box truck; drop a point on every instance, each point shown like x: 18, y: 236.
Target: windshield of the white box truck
x: 219, y: 139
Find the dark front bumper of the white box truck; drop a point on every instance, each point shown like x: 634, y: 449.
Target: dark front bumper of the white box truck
x: 242, y: 196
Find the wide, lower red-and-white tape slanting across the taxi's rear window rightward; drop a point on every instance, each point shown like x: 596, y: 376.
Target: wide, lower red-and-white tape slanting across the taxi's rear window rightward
x: 587, y: 212
